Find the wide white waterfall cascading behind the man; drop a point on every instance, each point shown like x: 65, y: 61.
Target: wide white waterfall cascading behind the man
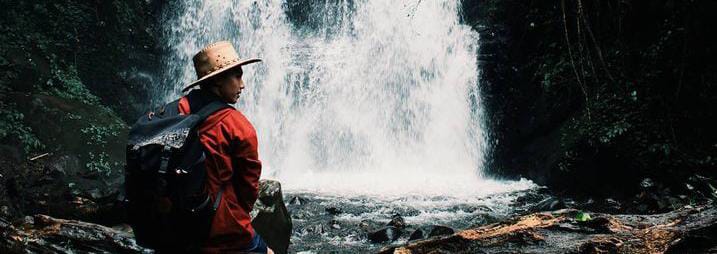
x: 365, y: 97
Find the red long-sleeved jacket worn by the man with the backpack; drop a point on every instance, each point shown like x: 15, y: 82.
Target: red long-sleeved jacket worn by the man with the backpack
x: 232, y: 164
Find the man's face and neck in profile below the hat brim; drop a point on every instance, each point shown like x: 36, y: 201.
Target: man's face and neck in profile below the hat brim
x: 226, y: 85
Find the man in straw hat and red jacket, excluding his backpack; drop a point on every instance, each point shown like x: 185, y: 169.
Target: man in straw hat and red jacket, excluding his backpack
x: 230, y: 142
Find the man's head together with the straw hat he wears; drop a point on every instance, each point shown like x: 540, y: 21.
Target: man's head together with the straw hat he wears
x: 218, y: 68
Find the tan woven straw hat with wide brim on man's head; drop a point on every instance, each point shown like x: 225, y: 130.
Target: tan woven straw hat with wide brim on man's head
x: 214, y: 59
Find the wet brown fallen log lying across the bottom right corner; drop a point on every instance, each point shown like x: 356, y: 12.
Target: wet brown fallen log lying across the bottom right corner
x: 687, y: 230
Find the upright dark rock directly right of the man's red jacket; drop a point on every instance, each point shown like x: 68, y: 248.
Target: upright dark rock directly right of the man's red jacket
x: 271, y: 219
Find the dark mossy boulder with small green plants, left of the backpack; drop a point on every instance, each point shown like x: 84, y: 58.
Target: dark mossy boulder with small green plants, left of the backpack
x: 70, y: 127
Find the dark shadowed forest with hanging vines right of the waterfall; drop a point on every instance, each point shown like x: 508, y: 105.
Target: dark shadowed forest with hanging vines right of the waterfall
x: 602, y: 98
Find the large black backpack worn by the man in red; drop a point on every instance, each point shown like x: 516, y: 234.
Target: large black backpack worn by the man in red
x: 165, y: 199
